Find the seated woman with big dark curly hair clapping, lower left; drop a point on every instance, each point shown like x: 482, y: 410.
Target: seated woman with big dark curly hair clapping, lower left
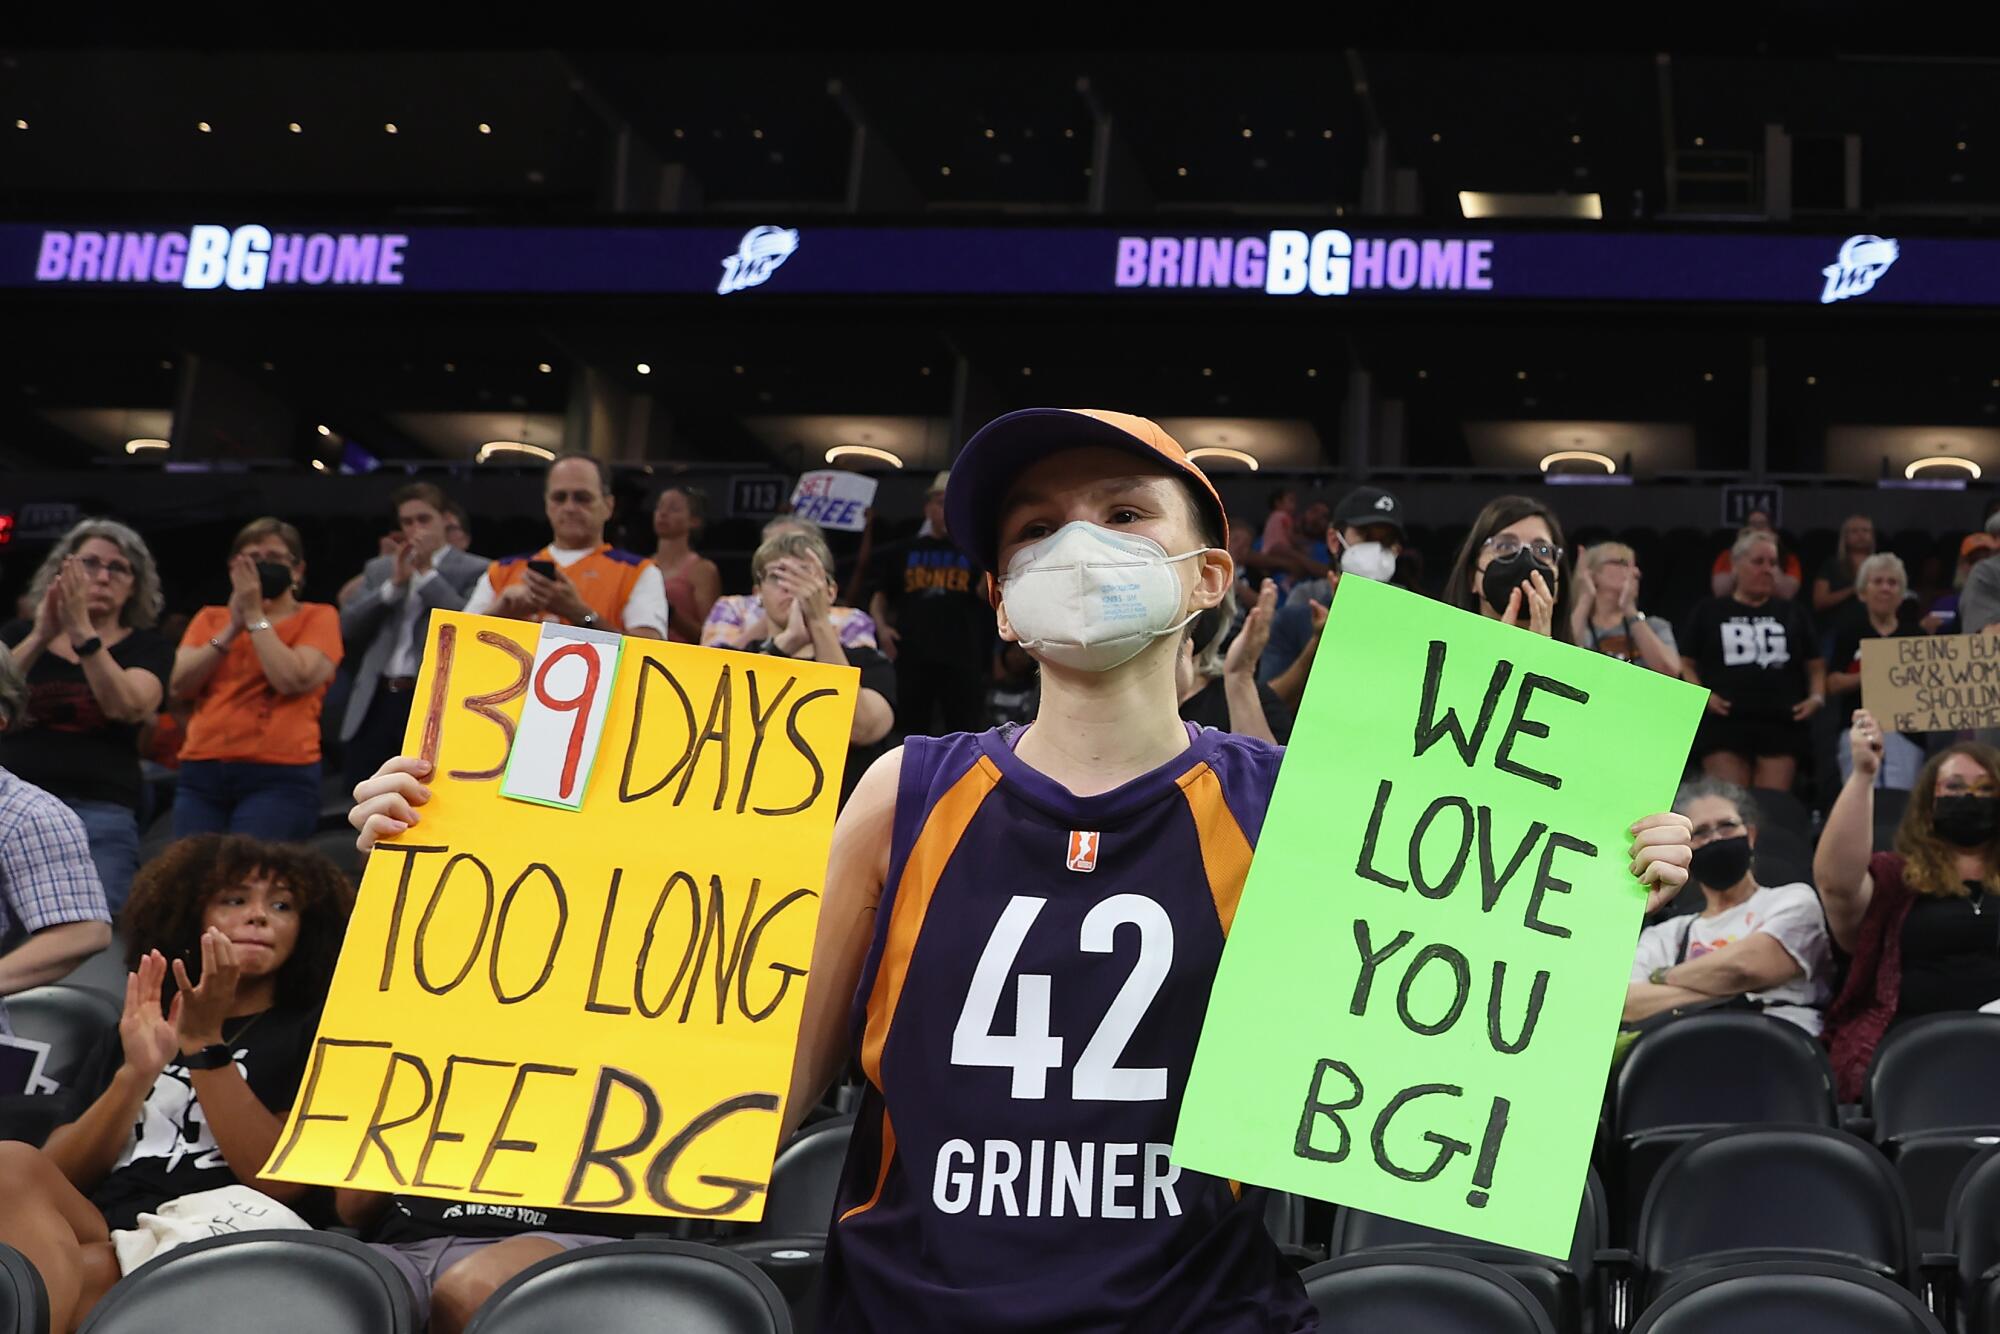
x: 233, y: 945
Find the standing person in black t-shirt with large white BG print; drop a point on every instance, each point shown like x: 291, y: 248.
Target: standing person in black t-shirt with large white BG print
x: 1761, y: 661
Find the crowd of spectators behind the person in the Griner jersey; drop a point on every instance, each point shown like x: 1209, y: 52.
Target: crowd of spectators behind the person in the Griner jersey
x: 235, y: 925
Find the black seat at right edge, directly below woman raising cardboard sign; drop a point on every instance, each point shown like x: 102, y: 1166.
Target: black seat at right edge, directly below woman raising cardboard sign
x: 1935, y: 1099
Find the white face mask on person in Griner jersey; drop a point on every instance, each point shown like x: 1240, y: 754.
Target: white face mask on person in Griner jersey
x: 1091, y: 599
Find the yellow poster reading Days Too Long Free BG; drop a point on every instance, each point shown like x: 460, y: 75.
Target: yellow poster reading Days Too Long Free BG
x: 583, y: 1009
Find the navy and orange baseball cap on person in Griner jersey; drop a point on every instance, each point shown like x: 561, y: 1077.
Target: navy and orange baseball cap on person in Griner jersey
x: 1009, y: 445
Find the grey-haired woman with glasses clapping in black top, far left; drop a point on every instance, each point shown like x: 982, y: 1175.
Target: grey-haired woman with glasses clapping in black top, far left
x: 97, y: 671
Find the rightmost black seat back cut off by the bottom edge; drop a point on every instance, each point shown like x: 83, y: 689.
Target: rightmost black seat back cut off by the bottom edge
x: 1763, y: 1299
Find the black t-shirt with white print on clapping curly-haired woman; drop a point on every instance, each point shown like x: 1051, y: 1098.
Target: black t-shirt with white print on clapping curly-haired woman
x: 173, y: 1153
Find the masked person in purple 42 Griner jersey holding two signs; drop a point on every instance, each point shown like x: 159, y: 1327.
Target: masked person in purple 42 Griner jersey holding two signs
x: 1013, y: 1155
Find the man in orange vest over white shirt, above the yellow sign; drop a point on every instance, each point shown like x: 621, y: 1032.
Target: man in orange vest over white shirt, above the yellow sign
x: 579, y: 579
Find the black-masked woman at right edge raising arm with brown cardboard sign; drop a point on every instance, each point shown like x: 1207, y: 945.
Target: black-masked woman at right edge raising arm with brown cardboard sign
x: 1915, y: 919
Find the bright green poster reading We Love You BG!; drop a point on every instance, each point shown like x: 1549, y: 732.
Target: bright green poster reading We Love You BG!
x: 1421, y: 991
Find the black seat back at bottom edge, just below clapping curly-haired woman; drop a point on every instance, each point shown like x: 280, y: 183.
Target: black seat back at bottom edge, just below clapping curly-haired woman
x: 299, y: 1283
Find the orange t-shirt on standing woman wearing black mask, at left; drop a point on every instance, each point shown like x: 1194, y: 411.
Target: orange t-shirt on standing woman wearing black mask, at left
x: 239, y: 717
